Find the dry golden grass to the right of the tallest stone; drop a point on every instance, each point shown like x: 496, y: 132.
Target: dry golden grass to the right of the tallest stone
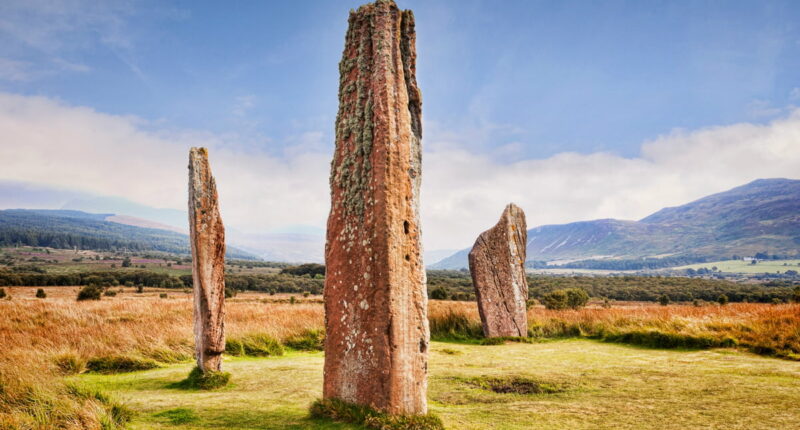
x: 762, y: 328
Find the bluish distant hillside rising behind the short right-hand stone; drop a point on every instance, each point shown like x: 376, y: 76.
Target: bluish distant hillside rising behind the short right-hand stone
x: 762, y: 216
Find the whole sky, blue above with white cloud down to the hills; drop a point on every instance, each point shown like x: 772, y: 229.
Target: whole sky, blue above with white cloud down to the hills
x: 574, y: 110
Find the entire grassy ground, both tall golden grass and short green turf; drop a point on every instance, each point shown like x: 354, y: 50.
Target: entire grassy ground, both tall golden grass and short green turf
x: 589, y: 383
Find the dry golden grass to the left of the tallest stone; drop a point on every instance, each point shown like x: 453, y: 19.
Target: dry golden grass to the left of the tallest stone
x: 35, y: 334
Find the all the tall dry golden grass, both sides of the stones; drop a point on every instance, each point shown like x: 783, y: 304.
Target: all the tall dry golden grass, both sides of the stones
x: 35, y: 334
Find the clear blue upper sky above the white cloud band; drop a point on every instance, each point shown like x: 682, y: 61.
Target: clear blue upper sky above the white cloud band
x: 544, y: 76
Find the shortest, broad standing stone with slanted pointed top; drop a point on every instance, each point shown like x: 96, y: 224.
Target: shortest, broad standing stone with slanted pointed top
x: 497, y: 265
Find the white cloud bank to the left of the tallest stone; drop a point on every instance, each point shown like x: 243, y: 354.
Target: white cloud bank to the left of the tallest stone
x: 47, y: 142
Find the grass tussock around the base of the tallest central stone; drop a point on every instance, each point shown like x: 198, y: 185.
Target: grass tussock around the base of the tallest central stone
x: 341, y: 411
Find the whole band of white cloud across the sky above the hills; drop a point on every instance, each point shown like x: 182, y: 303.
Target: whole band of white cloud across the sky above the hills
x: 44, y: 141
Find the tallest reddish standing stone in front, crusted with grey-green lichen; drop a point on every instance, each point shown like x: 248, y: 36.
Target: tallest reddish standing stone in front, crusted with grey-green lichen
x: 376, y: 321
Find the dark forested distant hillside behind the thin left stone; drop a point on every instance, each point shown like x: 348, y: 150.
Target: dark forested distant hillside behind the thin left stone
x: 66, y: 229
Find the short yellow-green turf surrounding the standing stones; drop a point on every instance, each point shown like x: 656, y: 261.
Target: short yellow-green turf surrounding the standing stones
x: 598, y: 385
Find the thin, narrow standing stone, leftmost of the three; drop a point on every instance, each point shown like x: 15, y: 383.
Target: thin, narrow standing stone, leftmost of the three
x: 208, y: 263
